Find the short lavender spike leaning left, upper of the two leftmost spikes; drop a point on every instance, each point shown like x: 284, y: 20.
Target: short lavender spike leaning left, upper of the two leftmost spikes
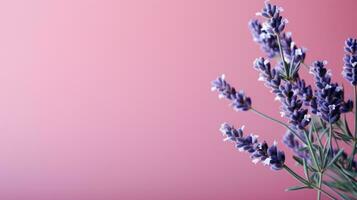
x: 240, y: 101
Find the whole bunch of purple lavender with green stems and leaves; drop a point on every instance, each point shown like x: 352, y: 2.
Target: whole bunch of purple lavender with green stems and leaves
x: 316, y: 124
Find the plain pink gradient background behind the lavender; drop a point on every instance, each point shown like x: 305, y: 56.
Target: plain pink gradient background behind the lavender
x: 111, y: 99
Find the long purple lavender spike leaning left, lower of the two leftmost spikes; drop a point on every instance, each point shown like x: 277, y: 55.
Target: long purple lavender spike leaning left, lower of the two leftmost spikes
x: 260, y: 152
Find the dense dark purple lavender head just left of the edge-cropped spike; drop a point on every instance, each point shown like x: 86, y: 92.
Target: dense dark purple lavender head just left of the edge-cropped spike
x: 329, y: 100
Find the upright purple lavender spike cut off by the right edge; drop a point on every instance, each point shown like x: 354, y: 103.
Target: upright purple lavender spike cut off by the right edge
x: 350, y: 61
